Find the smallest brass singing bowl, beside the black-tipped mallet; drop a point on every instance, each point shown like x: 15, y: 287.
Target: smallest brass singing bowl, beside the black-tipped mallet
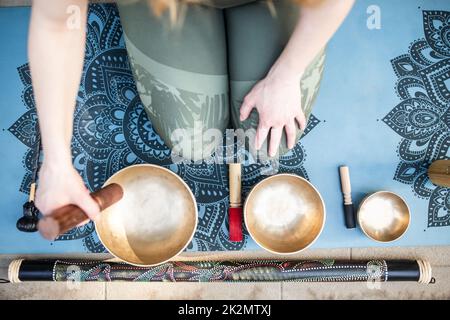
x: 384, y: 216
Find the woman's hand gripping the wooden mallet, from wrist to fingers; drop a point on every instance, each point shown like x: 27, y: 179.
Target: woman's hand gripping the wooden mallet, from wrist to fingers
x: 60, y: 185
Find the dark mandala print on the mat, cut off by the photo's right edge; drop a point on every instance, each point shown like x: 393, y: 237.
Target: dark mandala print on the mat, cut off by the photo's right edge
x: 422, y: 118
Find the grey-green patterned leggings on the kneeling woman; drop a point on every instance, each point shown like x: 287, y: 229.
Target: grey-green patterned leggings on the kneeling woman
x: 191, y: 77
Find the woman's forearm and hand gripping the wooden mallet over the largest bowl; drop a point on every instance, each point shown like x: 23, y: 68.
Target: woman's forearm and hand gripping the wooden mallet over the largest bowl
x: 54, y: 42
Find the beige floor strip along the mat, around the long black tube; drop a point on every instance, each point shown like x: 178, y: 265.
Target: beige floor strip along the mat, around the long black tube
x: 439, y: 257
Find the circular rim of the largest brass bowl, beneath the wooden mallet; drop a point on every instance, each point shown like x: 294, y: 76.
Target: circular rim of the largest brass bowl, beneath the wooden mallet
x: 195, y: 211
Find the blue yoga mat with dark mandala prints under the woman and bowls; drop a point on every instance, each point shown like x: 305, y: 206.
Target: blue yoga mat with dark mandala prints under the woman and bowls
x: 383, y: 110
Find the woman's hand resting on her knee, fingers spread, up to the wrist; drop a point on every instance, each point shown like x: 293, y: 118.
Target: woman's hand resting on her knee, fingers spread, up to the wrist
x: 277, y: 98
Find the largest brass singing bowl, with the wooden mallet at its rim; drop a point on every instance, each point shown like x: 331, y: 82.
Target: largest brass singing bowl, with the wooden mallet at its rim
x: 154, y: 221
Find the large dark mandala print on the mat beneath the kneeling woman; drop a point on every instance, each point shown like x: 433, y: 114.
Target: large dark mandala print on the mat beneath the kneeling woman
x: 112, y: 131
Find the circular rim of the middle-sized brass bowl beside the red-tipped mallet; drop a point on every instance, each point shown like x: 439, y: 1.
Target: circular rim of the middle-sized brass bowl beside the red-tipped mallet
x: 321, y: 200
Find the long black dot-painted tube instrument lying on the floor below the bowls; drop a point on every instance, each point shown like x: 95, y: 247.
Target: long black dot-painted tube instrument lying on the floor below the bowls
x: 224, y: 271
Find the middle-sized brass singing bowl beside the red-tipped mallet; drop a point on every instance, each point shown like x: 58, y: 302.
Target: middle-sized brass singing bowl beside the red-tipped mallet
x: 284, y: 213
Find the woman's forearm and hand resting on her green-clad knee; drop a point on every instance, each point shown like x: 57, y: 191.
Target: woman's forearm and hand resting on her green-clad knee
x: 277, y: 97
